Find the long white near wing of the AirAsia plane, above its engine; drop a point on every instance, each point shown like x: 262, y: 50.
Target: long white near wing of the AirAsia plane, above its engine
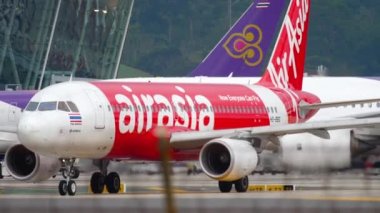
x: 195, y: 139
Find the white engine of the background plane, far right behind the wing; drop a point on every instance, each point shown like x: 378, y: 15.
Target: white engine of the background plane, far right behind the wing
x: 308, y: 152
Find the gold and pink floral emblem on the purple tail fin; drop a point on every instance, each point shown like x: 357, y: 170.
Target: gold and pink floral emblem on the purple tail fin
x: 246, y: 45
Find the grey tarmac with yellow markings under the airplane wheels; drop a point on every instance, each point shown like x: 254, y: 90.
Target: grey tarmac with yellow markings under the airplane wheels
x: 339, y: 192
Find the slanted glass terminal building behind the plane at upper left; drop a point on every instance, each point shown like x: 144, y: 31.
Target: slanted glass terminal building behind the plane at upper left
x: 59, y: 38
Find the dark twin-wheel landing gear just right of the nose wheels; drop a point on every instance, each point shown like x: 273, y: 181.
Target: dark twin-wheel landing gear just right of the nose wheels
x: 100, y: 179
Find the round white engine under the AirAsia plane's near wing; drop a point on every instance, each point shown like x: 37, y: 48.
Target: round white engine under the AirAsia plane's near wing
x: 227, y: 159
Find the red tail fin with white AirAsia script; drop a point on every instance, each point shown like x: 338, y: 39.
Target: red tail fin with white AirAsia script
x: 286, y: 65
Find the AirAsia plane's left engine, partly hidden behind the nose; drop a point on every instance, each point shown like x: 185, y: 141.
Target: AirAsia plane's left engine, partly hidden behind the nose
x: 25, y: 165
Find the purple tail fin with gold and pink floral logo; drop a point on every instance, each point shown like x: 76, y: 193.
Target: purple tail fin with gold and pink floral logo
x: 242, y: 51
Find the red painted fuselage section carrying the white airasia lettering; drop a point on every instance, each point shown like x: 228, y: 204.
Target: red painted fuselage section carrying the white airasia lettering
x: 232, y: 106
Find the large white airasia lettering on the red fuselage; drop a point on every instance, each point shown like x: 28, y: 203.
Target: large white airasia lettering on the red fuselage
x: 171, y: 111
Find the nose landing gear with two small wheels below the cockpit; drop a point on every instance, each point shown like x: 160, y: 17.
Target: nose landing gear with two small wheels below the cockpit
x: 68, y: 186
